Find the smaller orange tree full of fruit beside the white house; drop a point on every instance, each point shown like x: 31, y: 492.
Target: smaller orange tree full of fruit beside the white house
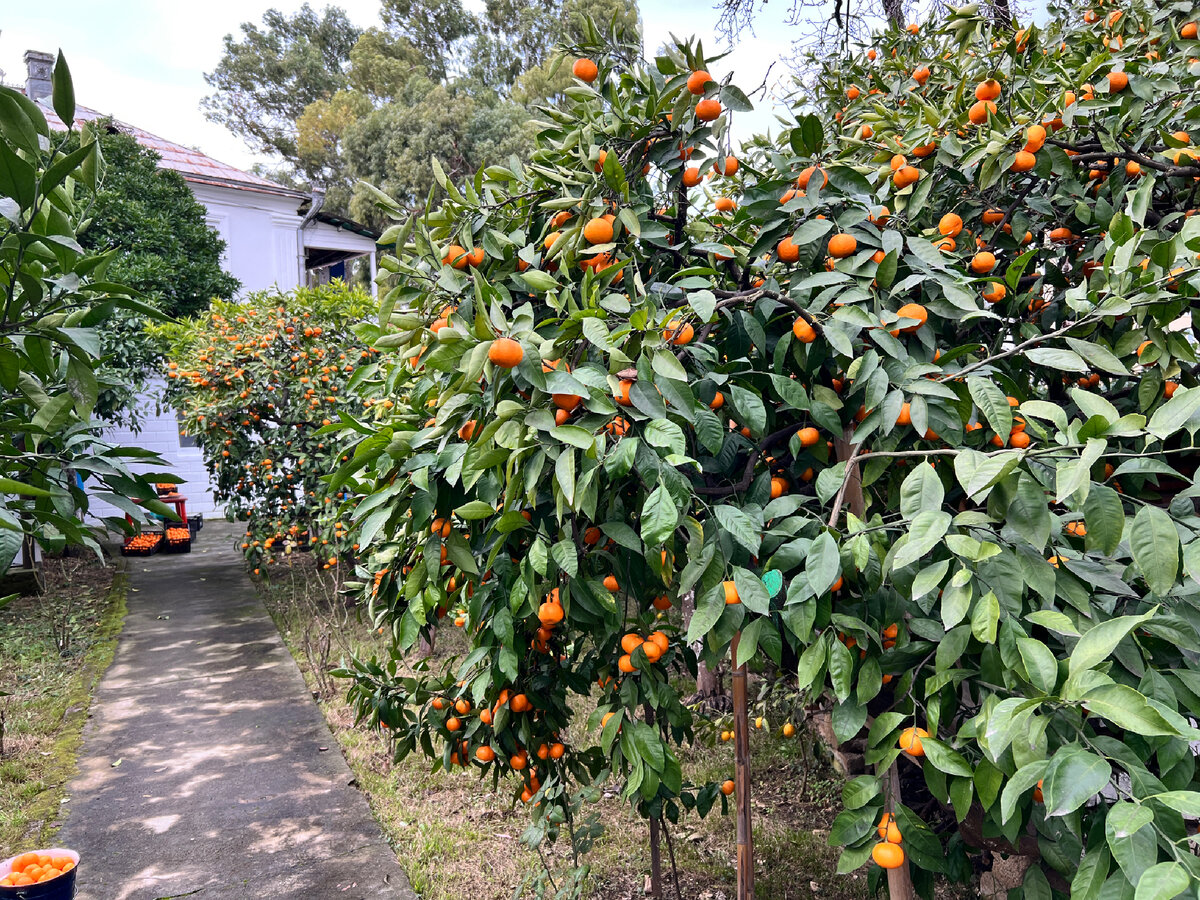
x: 259, y: 383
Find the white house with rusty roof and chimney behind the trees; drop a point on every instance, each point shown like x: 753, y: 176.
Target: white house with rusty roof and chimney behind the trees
x: 275, y: 237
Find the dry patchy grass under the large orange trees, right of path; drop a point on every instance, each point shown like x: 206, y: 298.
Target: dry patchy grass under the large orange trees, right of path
x: 459, y: 839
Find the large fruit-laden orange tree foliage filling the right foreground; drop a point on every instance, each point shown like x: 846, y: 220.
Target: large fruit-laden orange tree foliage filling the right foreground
x: 915, y: 399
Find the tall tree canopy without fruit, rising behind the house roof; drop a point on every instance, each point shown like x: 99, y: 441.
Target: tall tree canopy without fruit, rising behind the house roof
x: 433, y: 77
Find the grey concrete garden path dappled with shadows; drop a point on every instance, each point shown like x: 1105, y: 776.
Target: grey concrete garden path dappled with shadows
x: 207, y: 769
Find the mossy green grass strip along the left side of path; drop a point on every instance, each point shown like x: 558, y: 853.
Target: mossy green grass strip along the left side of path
x: 53, y: 650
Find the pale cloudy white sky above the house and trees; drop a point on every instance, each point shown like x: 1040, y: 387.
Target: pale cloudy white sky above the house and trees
x: 143, y: 62
